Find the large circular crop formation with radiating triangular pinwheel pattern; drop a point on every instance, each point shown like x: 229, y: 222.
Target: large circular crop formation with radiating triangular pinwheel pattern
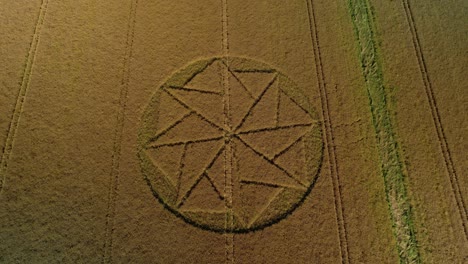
x: 230, y: 145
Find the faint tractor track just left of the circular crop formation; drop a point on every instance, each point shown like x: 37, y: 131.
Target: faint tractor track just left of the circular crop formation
x: 118, y: 134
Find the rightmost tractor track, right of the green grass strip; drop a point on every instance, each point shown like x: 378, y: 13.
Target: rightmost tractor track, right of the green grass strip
x: 444, y: 147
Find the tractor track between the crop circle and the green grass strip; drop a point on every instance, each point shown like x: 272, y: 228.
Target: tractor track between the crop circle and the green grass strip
x: 328, y: 135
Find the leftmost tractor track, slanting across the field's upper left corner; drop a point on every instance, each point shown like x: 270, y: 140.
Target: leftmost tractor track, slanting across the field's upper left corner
x: 26, y: 79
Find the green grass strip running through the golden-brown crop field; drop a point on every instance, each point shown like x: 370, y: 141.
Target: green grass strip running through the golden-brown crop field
x: 392, y: 170
